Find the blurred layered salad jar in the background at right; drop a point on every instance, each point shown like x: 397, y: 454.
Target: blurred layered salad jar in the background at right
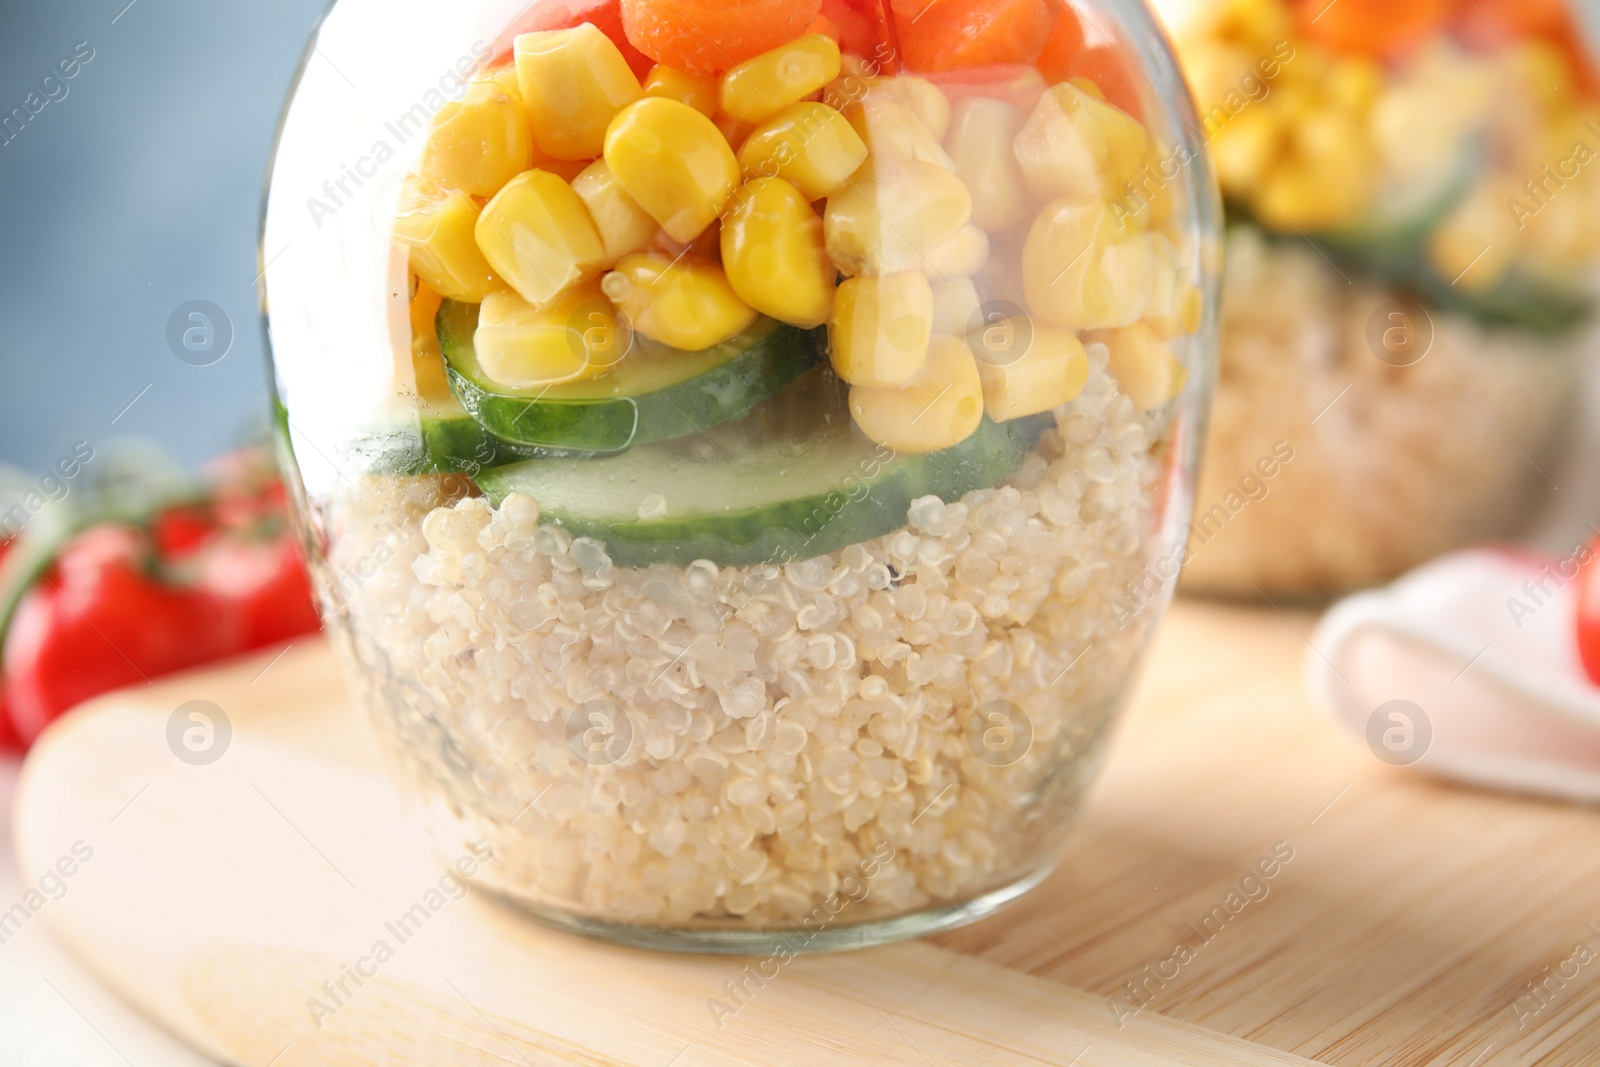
x: 1414, y: 230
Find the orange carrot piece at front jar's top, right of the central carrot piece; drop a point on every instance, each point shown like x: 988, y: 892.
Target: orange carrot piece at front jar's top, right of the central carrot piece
x: 951, y: 36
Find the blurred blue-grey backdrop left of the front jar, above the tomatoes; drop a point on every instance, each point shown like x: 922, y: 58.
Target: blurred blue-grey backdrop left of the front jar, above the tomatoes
x: 137, y: 193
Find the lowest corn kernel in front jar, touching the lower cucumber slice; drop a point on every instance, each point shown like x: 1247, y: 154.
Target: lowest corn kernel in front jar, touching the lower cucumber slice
x: 940, y: 407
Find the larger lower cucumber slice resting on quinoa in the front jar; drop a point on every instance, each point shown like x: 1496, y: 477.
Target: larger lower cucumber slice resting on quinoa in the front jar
x: 791, y: 482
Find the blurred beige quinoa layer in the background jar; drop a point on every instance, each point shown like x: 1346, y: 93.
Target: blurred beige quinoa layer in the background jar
x: 1391, y: 465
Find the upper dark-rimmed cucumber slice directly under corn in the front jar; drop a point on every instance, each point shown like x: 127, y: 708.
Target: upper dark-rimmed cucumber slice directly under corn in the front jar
x: 652, y: 396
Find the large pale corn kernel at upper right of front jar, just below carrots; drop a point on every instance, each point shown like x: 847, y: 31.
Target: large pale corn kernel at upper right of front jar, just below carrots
x: 1078, y: 145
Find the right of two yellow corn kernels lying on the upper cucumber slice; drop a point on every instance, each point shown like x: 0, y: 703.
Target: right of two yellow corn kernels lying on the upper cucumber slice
x: 682, y: 305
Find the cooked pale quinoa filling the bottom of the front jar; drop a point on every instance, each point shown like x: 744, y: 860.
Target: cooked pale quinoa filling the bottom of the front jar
x: 730, y: 748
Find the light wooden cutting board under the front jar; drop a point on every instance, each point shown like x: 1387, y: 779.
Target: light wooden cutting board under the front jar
x: 1406, y: 929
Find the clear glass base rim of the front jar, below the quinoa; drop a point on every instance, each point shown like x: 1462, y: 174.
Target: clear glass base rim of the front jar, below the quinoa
x: 796, y: 940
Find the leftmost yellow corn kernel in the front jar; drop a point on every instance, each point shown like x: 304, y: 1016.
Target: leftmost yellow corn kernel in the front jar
x: 436, y: 225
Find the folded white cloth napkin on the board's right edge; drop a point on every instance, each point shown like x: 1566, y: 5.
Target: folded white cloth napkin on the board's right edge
x: 1468, y: 669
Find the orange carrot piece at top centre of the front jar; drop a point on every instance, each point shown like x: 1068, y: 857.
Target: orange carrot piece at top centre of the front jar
x: 713, y: 36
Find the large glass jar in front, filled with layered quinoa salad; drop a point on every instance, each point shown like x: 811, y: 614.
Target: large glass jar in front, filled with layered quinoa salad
x: 743, y: 450
